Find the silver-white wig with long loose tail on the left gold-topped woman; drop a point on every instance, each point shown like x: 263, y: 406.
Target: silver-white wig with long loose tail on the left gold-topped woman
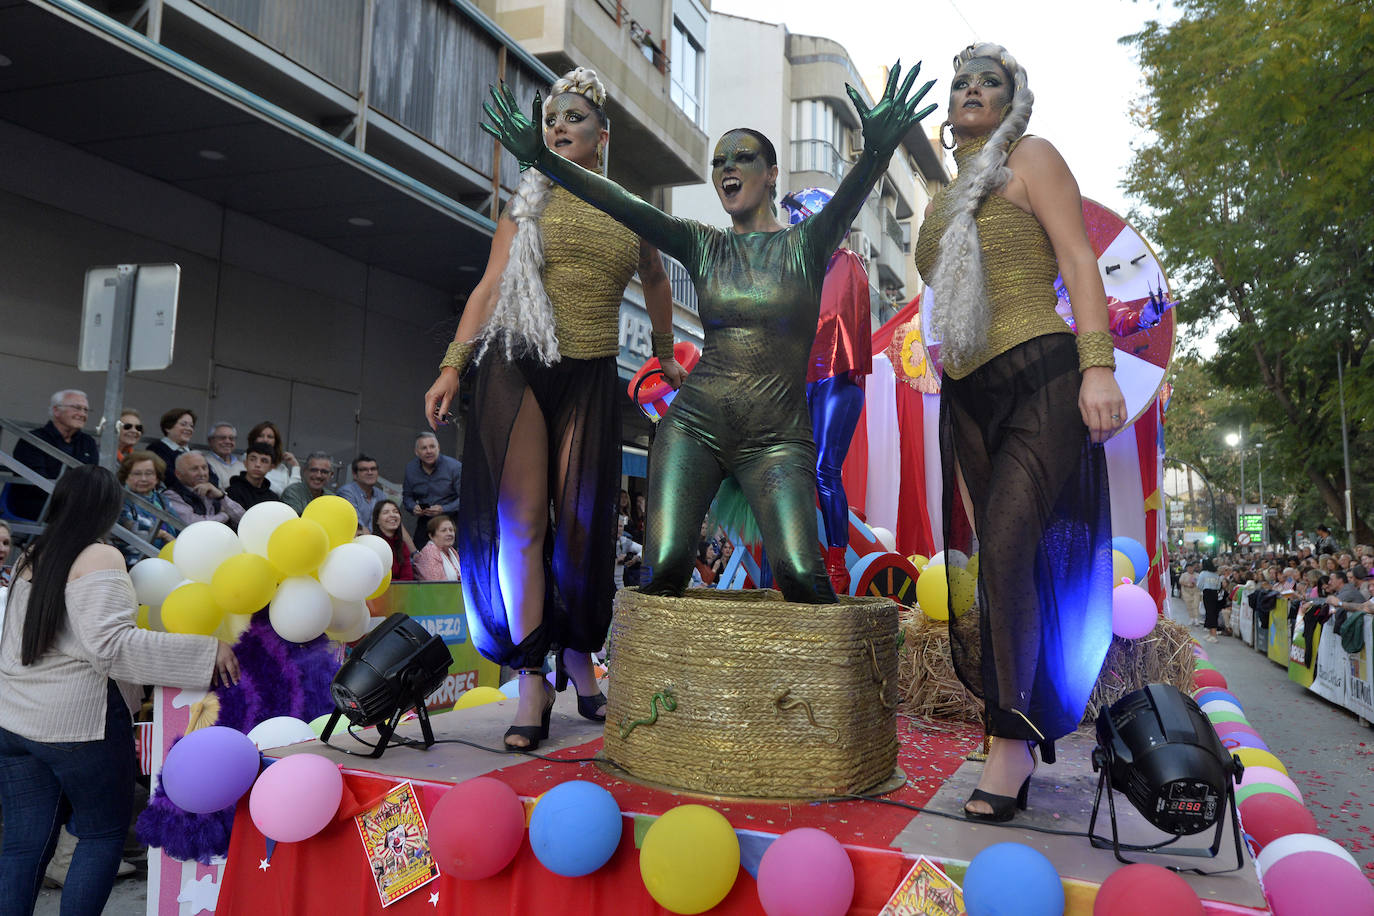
x: 524, y: 318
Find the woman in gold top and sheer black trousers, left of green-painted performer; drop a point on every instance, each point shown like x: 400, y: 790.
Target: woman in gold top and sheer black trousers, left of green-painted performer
x: 545, y: 429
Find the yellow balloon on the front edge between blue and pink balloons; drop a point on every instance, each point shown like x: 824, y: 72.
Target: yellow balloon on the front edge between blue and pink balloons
x: 690, y: 859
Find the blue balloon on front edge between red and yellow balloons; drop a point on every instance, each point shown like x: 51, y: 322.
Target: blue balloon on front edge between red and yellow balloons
x: 575, y: 829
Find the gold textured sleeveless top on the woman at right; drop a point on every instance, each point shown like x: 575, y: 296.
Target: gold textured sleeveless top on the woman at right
x: 1019, y: 268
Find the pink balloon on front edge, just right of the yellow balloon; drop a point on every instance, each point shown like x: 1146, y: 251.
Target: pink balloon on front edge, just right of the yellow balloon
x: 806, y: 873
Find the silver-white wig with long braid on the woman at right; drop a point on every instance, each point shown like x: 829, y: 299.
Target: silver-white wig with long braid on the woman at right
x: 961, y: 304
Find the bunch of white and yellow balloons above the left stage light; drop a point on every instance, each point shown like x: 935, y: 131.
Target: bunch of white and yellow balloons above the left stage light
x: 308, y: 571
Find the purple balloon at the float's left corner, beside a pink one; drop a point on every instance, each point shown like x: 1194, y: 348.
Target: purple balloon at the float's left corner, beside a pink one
x: 210, y: 770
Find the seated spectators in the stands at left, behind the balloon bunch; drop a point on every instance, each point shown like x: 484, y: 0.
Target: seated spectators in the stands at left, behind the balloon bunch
x: 171, y: 483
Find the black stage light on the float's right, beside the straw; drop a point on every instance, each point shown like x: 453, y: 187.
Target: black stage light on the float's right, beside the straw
x: 1158, y: 749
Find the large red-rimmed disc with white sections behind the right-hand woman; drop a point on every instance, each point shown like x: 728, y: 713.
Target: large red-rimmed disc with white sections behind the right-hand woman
x: 1141, y: 311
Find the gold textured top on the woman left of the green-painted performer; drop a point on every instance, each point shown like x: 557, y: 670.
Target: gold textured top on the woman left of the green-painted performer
x: 589, y: 259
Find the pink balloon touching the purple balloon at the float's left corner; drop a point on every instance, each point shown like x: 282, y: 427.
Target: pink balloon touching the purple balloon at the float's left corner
x: 296, y: 797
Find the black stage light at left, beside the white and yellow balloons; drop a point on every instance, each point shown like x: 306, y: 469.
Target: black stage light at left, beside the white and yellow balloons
x: 388, y: 674
